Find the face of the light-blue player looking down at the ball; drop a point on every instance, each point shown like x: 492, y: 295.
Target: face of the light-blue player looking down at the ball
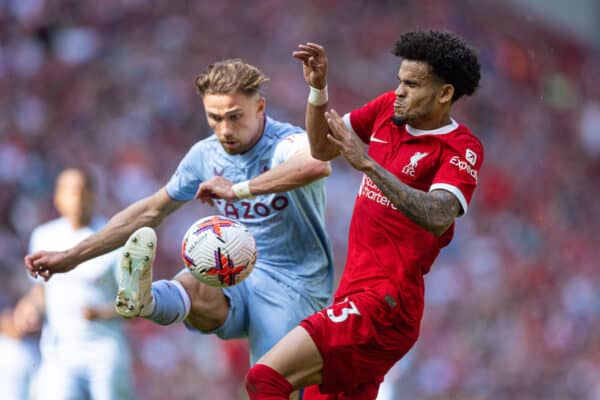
x: 237, y: 119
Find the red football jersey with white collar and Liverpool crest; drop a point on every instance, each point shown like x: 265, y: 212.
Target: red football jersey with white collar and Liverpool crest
x: 385, y: 247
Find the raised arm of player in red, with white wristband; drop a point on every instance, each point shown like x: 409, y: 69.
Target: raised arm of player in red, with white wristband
x: 314, y: 64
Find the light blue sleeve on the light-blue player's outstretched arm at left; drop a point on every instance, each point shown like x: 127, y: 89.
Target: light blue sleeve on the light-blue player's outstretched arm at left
x: 188, y: 175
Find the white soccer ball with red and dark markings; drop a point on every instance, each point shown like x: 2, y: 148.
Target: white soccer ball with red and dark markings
x: 219, y: 251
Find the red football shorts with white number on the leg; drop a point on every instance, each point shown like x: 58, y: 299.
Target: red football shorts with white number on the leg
x: 359, y: 341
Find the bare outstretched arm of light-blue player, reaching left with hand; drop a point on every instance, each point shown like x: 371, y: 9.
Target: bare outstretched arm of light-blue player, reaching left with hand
x: 146, y: 212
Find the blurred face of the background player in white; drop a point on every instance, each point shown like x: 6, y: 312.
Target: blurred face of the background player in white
x: 73, y: 198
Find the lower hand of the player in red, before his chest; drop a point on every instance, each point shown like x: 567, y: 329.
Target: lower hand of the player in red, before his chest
x: 350, y: 146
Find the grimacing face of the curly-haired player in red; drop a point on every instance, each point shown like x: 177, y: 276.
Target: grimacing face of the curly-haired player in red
x: 421, y: 98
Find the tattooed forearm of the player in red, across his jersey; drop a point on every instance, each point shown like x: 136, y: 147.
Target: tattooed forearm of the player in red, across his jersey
x: 434, y: 211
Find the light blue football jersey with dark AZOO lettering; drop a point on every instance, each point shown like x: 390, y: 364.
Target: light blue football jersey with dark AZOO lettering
x: 289, y: 227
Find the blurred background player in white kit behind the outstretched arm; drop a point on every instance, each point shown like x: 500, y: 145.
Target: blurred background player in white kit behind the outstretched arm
x: 84, y: 351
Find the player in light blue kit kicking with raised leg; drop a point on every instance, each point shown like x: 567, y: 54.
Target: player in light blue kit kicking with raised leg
x: 253, y: 169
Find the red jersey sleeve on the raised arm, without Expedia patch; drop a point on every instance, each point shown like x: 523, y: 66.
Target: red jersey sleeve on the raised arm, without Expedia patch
x: 363, y: 120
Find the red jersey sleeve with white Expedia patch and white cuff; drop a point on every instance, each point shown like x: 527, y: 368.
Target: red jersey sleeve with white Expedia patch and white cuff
x: 460, y: 162
